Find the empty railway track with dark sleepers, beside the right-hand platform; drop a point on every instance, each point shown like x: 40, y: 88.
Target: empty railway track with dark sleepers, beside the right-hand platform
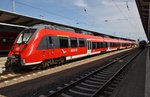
x: 98, y: 83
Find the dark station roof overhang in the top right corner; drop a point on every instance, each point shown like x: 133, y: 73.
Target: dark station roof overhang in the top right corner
x: 144, y: 11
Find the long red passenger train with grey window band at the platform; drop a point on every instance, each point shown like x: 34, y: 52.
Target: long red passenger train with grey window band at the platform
x: 47, y: 45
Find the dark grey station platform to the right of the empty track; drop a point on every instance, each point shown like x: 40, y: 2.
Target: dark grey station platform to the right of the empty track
x: 136, y: 82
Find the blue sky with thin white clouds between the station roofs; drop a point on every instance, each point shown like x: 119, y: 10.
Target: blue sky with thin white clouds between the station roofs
x: 113, y: 17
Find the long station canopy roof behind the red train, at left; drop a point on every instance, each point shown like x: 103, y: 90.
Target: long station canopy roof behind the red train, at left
x: 22, y: 21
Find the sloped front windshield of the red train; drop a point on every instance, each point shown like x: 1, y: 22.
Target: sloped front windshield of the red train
x: 25, y: 35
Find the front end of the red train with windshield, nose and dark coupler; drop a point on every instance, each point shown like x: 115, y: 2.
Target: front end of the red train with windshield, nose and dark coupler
x: 19, y: 50
